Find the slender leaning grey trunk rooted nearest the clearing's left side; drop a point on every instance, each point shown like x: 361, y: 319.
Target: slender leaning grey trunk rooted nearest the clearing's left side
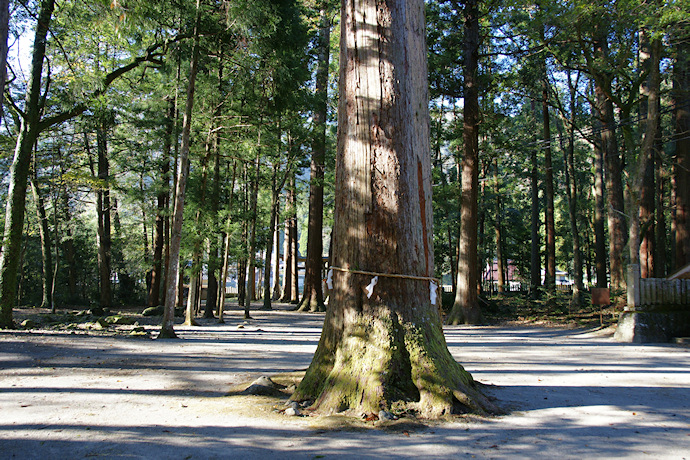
x: 172, y: 276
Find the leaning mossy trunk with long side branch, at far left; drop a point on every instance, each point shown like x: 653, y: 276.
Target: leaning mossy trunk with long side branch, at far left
x: 19, y: 171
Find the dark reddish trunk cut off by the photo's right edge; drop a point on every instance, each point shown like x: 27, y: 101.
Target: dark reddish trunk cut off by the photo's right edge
x: 681, y: 171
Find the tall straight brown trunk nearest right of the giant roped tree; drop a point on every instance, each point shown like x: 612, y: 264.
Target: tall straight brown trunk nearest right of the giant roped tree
x: 466, y: 305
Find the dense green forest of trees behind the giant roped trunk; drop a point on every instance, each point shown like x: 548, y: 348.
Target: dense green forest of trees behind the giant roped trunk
x: 147, y: 145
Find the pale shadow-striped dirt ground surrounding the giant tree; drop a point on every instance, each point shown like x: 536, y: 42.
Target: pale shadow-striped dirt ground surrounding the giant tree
x: 573, y: 395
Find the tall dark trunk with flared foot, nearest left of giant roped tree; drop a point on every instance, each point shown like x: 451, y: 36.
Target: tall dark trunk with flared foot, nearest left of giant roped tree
x: 312, y: 297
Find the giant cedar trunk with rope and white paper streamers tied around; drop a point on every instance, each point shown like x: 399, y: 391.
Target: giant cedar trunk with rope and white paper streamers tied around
x: 385, y: 349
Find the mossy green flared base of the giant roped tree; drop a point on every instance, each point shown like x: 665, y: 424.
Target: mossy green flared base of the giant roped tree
x: 383, y: 363
